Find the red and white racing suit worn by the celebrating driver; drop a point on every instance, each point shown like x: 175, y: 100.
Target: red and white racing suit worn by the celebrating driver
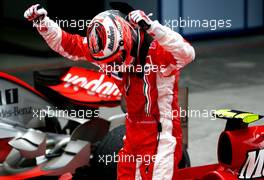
x: 150, y: 99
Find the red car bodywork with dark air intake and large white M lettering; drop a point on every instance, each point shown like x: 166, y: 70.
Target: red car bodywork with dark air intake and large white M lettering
x: 233, y: 149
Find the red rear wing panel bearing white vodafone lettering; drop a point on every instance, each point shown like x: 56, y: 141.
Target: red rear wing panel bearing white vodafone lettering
x: 87, y: 86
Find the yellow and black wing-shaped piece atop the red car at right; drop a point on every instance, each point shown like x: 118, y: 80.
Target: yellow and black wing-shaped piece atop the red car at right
x: 237, y: 119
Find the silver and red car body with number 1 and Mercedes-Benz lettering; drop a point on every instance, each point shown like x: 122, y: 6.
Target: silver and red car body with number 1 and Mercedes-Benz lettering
x: 33, y: 142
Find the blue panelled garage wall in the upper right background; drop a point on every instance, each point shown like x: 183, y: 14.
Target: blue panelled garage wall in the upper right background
x: 245, y: 15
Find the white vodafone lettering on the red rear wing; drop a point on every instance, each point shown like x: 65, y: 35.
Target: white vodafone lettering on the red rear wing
x: 93, y: 86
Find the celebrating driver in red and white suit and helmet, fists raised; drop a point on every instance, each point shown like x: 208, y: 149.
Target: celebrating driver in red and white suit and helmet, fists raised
x: 152, y: 129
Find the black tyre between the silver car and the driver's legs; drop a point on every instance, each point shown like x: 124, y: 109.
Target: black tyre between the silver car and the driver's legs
x: 110, y: 145
